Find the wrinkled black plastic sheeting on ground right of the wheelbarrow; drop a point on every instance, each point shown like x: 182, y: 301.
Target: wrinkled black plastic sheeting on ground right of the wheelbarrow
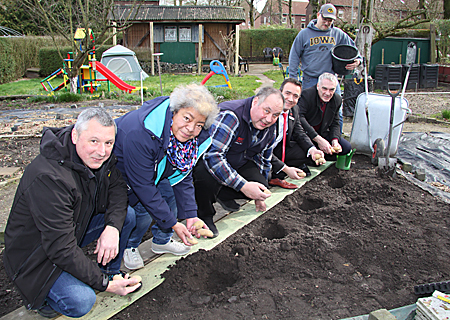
x: 429, y: 151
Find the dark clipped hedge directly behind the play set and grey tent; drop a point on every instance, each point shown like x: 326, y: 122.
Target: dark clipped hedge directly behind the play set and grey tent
x: 50, y: 60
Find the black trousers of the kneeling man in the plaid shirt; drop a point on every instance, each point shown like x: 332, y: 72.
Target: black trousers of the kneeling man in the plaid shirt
x: 208, y: 189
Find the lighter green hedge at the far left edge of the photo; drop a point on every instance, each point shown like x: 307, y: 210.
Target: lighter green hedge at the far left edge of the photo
x: 17, y: 54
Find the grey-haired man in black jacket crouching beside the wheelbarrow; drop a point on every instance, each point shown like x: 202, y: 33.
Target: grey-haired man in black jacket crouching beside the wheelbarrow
x: 319, y: 116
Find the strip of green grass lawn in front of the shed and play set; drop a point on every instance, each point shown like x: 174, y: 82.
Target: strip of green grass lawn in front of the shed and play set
x: 242, y: 87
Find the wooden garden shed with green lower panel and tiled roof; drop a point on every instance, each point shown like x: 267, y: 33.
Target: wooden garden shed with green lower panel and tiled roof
x: 176, y: 30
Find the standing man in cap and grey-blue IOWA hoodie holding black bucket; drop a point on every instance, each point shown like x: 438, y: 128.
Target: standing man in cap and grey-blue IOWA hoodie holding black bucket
x: 312, y: 47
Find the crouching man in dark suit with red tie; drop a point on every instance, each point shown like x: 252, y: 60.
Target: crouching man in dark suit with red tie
x: 292, y: 148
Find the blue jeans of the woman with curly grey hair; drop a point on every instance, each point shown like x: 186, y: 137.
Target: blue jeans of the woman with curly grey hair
x: 143, y: 219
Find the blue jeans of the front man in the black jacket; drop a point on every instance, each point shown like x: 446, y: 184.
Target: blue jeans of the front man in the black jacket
x: 72, y: 297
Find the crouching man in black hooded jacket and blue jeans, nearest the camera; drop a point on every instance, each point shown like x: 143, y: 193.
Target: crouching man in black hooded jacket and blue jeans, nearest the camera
x: 70, y: 195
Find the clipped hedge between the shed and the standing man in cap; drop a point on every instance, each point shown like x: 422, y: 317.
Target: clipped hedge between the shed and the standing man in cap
x: 253, y: 41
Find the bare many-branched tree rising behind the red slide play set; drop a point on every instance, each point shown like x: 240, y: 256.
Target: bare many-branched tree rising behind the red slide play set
x: 64, y: 17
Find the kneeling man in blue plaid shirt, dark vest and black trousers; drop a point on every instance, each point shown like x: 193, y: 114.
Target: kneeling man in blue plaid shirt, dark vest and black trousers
x: 238, y: 163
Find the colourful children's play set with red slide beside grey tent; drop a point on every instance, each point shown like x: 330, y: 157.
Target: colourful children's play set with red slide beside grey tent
x: 88, y: 79
